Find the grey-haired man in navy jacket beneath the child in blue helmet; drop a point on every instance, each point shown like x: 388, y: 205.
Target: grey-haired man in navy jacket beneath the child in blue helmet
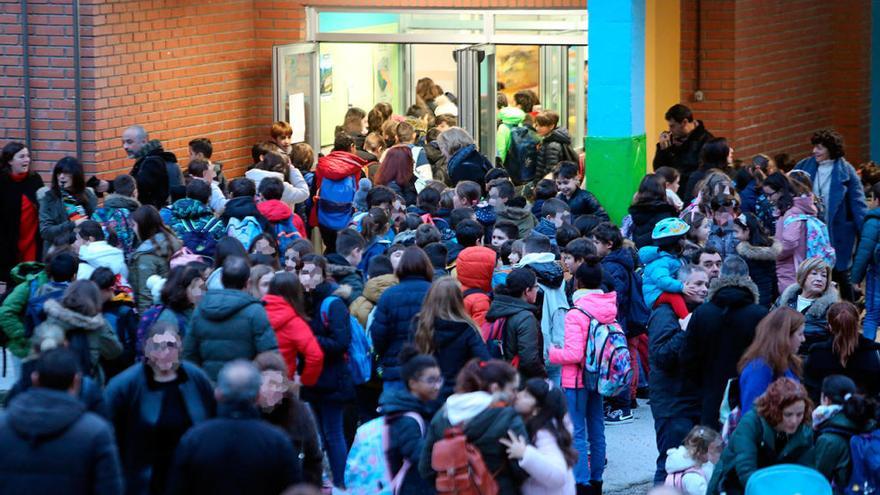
x: 675, y: 400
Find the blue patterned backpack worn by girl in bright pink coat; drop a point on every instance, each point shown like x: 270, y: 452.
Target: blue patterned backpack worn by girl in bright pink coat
x: 607, y: 364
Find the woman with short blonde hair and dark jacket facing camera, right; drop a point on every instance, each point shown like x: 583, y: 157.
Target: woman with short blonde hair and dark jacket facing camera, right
x: 812, y: 296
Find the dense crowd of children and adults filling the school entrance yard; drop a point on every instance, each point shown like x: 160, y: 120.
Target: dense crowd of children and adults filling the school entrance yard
x: 402, y: 314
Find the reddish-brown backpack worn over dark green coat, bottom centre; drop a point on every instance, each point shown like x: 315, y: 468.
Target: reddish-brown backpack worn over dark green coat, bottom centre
x: 460, y: 467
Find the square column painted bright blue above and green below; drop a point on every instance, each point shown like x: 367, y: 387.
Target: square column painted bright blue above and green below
x: 615, y: 142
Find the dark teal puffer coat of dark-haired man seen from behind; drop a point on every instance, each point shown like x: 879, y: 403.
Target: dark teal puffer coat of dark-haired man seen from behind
x: 227, y: 325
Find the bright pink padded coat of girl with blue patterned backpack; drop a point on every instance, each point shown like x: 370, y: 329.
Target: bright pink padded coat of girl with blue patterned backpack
x: 600, y: 305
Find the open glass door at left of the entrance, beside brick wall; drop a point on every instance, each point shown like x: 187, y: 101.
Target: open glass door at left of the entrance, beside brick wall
x: 297, y: 78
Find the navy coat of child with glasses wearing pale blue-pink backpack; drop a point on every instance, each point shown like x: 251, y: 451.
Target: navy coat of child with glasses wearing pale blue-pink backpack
x: 407, y: 441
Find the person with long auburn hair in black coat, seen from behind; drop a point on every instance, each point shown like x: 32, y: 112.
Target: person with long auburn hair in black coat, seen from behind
x: 846, y: 353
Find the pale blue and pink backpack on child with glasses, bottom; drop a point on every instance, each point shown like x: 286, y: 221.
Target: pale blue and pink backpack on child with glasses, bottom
x: 367, y: 471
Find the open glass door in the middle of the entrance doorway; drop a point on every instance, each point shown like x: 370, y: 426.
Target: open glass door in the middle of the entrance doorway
x: 476, y: 81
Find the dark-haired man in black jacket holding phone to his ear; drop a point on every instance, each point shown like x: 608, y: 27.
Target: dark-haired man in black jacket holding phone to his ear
x: 680, y: 146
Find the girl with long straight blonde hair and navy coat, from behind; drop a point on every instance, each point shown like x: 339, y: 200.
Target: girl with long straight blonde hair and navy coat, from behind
x: 444, y: 329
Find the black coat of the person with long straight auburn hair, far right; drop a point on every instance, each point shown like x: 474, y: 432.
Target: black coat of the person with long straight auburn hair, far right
x: 863, y: 367
